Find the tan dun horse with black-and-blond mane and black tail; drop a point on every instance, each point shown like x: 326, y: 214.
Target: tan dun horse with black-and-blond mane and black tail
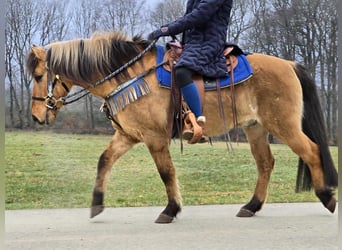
x: 279, y: 99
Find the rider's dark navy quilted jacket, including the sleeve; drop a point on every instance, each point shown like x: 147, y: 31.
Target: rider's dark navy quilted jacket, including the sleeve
x: 204, y: 26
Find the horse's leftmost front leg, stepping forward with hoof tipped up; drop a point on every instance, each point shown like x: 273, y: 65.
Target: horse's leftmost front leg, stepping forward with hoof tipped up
x: 119, y: 145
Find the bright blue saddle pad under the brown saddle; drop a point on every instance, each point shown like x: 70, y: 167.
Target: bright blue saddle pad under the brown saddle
x: 242, y: 72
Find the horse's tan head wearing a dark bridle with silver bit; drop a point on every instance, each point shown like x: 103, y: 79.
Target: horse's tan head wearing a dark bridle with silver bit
x: 48, y: 89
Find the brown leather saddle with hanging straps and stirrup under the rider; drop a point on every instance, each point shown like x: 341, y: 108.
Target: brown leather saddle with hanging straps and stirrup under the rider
x: 189, y: 123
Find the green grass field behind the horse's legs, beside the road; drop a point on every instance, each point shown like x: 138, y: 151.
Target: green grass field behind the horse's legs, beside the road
x: 46, y: 170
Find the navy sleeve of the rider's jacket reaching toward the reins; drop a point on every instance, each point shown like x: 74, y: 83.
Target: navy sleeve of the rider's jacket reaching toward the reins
x: 197, y: 17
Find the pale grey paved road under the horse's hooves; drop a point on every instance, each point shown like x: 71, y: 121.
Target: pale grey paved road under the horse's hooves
x: 277, y: 226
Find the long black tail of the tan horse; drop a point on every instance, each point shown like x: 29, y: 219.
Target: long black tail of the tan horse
x: 313, y: 126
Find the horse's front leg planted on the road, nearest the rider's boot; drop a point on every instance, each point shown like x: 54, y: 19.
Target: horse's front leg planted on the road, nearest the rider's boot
x: 159, y: 149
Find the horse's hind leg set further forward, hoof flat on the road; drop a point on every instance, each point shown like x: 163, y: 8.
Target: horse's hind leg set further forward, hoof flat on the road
x: 258, y: 140
